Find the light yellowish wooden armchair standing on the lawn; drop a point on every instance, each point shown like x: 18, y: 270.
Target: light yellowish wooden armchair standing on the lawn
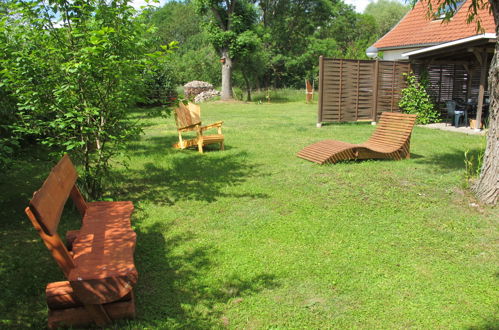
x: 188, y: 118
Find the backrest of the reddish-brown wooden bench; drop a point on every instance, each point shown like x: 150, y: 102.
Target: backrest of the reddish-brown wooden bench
x: 46, y: 206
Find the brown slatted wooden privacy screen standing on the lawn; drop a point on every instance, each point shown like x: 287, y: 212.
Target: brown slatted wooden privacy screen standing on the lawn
x: 356, y: 90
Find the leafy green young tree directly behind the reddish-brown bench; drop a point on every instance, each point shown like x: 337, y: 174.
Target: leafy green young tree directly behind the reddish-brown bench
x: 75, y: 80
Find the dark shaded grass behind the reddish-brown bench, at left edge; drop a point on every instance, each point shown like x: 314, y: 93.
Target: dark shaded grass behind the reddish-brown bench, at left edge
x: 26, y: 265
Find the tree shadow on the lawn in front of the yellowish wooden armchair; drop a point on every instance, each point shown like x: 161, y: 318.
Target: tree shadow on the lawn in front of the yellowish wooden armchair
x: 185, y: 175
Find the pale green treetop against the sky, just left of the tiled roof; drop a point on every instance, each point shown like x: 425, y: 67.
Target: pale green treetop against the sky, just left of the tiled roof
x: 387, y: 13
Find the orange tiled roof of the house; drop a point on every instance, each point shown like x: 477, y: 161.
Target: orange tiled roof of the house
x: 416, y: 29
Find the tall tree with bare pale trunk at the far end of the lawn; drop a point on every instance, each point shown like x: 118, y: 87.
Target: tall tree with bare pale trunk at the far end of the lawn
x: 230, y: 31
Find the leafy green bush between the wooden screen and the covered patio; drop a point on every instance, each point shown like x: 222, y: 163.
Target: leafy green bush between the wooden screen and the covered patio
x: 416, y: 100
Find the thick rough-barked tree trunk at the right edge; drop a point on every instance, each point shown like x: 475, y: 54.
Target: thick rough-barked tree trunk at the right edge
x: 487, y: 186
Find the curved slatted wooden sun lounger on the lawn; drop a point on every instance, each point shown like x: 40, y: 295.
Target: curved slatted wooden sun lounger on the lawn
x: 390, y: 140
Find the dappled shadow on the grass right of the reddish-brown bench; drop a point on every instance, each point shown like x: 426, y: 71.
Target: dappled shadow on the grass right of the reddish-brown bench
x: 172, y: 288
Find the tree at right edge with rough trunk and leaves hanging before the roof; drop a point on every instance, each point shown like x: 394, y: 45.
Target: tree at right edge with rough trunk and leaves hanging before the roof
x: 487, y: 186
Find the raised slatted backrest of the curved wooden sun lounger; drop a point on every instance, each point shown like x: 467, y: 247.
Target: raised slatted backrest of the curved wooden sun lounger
x: 393, y: 128
